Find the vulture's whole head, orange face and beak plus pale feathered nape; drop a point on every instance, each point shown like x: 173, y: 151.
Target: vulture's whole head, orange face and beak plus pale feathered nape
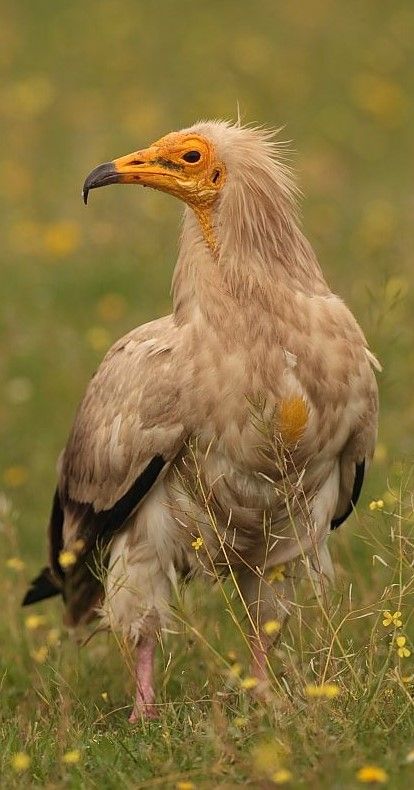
x: 231, y: 177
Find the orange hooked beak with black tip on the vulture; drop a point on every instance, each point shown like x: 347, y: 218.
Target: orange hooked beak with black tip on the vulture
x: 147, y: 167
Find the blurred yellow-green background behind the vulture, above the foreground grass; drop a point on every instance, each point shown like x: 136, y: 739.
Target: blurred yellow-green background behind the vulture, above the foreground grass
x: 83, y: 82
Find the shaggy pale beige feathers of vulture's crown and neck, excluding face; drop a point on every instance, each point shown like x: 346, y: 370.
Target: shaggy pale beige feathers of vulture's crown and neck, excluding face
x: 254, y: 251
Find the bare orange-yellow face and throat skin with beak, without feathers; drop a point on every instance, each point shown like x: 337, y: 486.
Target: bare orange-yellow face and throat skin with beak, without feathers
x: 185, y: 165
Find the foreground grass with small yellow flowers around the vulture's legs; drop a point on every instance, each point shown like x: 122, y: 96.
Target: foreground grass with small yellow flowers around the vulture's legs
x: 341, y: 695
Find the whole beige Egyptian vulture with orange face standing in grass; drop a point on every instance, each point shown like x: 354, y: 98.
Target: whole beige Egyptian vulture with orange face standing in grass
x: 233, y: 433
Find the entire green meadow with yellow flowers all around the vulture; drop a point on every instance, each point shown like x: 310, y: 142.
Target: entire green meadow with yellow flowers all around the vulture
x: 88, y: 82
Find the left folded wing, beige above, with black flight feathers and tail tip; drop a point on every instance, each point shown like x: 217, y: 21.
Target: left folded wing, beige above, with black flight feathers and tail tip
x: 126, y: 432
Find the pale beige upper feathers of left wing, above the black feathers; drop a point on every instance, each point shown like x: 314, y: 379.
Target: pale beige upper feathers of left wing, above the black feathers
x: 130, y: 415
